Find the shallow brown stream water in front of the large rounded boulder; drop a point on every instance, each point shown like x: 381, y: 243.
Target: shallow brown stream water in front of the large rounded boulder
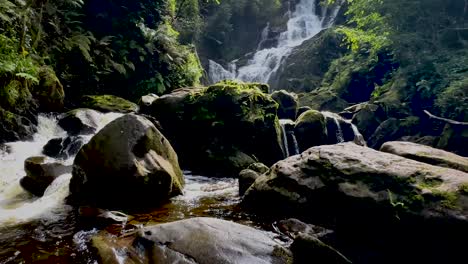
x: 64, y: 238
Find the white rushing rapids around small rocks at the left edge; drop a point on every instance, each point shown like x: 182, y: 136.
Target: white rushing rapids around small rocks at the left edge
x: 18, y: 206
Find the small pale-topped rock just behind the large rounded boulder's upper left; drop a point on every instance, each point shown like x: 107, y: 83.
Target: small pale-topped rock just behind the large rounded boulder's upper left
x: 80, y: 121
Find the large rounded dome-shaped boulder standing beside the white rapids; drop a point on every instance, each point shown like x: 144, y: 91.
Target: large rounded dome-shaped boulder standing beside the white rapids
x: 128, y: 163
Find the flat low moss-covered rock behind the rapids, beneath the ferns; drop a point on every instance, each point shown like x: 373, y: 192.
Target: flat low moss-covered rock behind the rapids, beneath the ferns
x: 108, y: 103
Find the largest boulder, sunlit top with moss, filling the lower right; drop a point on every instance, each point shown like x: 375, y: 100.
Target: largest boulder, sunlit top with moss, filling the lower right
x: 368, y: 195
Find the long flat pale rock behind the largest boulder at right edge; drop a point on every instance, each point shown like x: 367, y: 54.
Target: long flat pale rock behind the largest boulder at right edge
x: 426, y: 154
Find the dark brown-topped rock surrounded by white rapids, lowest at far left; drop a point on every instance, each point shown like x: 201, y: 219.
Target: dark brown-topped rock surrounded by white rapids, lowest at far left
x: 40, y: 173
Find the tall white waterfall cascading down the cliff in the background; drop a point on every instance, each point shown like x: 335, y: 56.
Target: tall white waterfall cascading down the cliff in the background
x: 304, y: 23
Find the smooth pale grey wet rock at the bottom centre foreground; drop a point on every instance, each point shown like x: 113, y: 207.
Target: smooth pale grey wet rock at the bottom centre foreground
x: 199, y: 240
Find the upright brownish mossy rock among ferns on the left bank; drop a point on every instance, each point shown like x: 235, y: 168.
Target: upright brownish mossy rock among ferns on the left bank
x: 49, y: 92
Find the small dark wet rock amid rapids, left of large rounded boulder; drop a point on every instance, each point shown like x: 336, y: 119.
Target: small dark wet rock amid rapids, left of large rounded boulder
x: 63, y: 148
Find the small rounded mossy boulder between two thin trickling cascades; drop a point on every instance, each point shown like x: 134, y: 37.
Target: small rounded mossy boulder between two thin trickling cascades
x: 311, y: 129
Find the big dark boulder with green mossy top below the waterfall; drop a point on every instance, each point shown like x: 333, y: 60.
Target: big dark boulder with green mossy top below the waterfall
x: 222, y: 120
